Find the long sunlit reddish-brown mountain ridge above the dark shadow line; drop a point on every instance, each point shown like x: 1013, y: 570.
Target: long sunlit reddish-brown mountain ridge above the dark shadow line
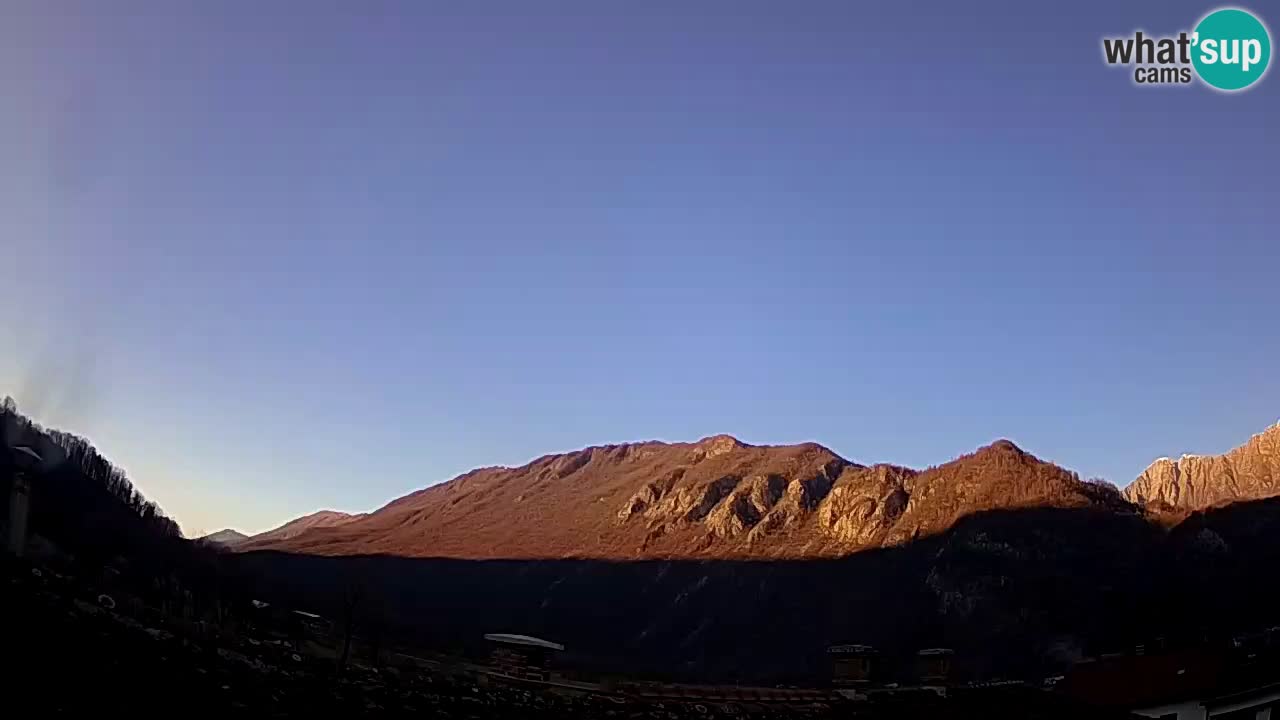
x: 717, y: 498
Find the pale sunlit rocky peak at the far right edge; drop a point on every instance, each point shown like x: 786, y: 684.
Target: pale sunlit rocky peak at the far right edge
x: 1196, y: 482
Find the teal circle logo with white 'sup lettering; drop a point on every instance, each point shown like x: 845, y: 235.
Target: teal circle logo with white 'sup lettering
x: 1232, y: 49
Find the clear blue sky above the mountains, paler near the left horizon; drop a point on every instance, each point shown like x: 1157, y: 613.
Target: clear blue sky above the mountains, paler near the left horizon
x: 282, y: 257
